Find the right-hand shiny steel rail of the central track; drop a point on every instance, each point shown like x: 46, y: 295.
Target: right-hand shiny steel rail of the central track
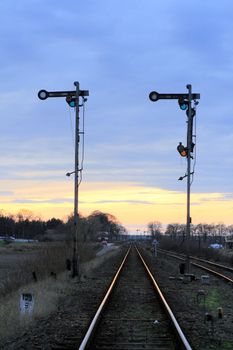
x: 176, y: 325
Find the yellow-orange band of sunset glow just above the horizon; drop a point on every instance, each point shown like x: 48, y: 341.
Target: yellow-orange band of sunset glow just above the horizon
x: 130, y: 203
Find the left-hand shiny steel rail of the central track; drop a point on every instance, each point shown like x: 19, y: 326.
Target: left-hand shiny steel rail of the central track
x: 95, y: 320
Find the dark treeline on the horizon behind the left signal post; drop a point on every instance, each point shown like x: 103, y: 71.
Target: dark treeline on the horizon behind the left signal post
x: 26, y: 226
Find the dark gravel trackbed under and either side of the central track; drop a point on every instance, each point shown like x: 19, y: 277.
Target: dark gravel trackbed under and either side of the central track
x: 128, y: 320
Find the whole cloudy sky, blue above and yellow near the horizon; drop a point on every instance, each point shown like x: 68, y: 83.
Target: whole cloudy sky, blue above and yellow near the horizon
x: 120, y: 51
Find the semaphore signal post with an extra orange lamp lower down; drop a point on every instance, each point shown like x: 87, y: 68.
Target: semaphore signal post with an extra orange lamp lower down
x: 185, y: 102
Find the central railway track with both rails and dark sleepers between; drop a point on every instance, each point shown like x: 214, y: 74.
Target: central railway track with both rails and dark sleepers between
x: 134, y: 314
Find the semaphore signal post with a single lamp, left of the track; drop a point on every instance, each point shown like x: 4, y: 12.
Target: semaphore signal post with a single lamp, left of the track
x: 72, y: 98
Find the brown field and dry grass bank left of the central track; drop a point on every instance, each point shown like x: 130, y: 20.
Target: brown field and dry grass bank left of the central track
x: 47, y: 290
